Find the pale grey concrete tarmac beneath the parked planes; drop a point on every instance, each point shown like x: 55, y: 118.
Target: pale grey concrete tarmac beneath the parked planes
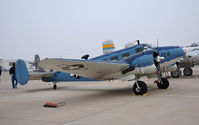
x: 100, y: 103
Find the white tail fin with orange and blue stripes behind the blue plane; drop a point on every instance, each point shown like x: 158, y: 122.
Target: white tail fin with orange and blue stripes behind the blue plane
x: 108, y: 46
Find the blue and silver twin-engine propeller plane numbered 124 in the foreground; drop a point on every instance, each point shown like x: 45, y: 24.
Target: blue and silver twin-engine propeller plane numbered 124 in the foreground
x: 126, y: 64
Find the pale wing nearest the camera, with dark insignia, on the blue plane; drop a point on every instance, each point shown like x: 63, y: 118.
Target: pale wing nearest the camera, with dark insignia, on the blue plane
x: 86, y: 68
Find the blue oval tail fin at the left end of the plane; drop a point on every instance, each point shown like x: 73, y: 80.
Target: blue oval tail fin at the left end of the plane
x: 21, y: 71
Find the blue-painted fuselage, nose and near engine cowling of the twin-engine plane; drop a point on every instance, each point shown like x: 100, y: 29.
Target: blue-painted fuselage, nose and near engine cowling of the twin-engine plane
x: 135, y: 56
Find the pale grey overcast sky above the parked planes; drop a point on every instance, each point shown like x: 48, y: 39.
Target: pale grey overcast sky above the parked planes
x: 72, y: 28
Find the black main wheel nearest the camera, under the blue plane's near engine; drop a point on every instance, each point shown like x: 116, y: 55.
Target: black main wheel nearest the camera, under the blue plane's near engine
x: 142, y: 89
